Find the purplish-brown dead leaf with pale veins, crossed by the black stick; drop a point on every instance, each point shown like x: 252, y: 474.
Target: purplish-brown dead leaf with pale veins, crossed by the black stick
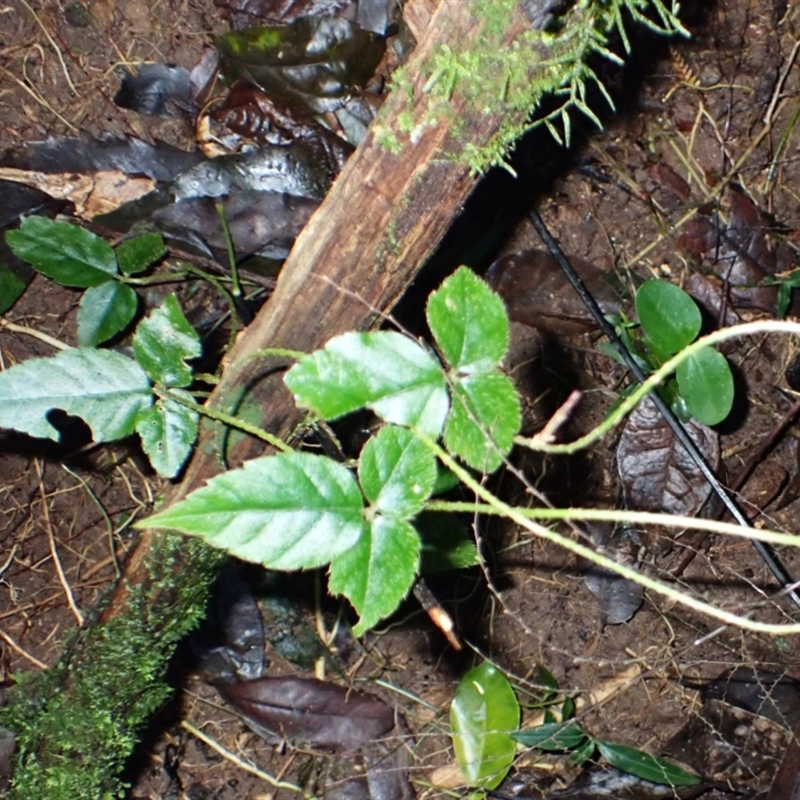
x: 656, y: 471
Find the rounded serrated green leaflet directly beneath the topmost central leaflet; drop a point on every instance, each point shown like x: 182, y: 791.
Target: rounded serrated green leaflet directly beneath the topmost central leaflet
x: 483, y: 420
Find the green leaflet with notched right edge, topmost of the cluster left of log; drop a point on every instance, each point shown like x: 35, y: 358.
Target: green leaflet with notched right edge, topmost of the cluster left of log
x: 164, y: 341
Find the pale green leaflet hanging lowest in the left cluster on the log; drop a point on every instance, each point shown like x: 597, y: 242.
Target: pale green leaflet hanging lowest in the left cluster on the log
x: 168, y: 431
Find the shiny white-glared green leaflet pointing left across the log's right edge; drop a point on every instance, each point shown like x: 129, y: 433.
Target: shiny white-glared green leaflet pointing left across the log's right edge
x: 384, y: 371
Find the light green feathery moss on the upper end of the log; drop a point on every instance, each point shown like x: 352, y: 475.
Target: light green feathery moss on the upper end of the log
x: 510, y: 79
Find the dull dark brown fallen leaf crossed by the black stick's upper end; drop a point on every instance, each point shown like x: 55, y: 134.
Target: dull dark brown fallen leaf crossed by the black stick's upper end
x: 536, y: 293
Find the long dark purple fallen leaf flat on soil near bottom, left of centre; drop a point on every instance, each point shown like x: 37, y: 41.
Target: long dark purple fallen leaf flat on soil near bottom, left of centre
x: 321, y: 714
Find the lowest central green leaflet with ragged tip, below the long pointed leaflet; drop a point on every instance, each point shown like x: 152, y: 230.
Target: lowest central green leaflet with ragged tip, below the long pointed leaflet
x: 377, y: 572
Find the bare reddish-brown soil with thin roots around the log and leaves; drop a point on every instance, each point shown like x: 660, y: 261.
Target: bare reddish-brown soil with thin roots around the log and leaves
x: 717, y: 110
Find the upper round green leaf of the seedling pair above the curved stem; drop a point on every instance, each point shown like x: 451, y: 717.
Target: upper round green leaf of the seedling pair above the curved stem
x: 669, y: 317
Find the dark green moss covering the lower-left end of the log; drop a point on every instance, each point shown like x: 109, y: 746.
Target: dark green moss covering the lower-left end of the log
x: 77, y: 723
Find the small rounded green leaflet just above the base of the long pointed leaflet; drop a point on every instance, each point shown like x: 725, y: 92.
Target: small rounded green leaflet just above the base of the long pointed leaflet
x: 397, y: 472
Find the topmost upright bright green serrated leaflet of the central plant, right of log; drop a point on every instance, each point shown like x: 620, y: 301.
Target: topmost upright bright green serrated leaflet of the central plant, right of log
x: 469, y: 322
